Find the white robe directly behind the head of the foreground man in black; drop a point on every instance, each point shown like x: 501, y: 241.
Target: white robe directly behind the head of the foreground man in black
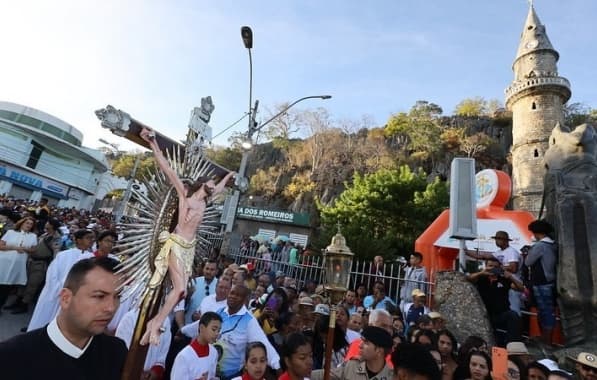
x: 47, y: 304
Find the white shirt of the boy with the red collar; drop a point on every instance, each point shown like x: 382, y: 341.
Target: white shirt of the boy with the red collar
x: 189, y: 366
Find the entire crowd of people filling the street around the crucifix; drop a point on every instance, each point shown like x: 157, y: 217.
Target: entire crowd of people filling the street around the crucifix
x: 241, y: 321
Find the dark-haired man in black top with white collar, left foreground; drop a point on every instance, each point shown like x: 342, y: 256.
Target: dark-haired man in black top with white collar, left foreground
x: 73, y: 345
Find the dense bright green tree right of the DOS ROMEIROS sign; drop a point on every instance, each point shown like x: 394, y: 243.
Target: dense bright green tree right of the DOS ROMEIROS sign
x: 383, y: 213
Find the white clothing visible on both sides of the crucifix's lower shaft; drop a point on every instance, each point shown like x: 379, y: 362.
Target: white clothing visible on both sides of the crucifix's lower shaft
x: 156, y: 355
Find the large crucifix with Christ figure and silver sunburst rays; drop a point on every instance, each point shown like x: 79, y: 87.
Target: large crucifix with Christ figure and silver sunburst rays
x: 174, y: 217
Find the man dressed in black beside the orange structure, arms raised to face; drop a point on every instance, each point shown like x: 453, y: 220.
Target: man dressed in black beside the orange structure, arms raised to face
x: 493, y: 284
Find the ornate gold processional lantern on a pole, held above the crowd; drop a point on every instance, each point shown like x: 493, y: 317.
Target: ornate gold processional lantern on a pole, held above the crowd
x: 338, y: 264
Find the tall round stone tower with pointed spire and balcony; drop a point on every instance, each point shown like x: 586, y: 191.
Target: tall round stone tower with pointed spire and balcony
x: 536, y: 98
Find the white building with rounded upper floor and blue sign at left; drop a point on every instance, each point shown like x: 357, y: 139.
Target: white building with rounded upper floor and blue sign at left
x: 41, y: 155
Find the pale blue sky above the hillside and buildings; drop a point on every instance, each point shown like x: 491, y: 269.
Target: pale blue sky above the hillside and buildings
x: 156, y: 59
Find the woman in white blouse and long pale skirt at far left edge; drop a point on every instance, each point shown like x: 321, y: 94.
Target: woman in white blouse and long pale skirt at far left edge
x: 15, y: 246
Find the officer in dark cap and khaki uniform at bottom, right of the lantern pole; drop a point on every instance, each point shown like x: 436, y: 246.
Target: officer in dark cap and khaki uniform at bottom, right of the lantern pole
x: 371, y: 363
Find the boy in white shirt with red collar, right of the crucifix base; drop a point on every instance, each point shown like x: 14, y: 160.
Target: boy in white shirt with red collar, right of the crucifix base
x: 199, y: 359
